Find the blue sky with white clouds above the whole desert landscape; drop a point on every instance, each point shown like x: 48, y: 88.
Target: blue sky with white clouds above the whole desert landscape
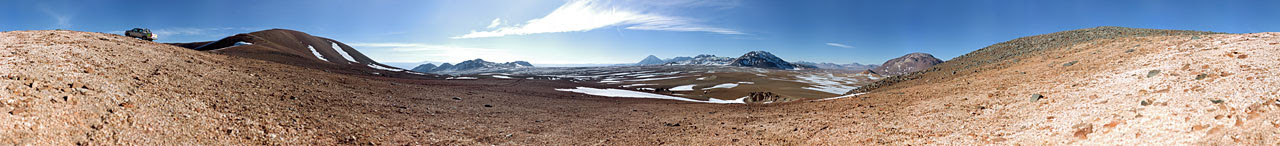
x: 625, y: 31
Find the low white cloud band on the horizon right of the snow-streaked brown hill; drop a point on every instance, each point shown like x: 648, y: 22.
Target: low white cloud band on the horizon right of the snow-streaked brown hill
x: 409, y: 53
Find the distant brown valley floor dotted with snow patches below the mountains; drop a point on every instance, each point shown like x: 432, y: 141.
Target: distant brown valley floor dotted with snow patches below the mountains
x: 703, y: 83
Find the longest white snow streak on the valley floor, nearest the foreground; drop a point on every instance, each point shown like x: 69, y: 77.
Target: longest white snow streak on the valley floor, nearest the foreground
x: 615, y: 93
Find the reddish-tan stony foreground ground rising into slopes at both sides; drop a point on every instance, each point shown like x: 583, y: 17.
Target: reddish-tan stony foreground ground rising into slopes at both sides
x: 66, y: 88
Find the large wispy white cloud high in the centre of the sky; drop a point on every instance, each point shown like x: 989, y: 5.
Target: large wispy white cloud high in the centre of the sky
x: 580, y: 16
